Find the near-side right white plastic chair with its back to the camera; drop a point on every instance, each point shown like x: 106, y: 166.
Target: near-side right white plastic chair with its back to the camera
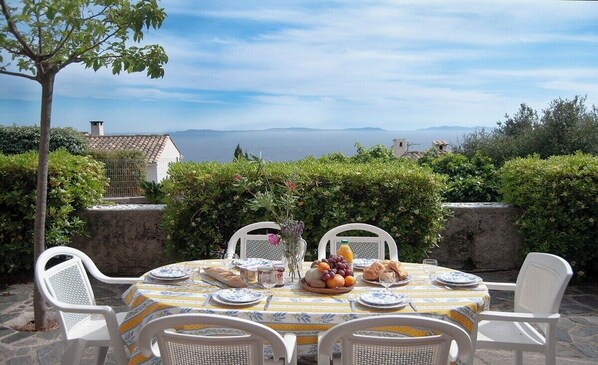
x: 359, y: 347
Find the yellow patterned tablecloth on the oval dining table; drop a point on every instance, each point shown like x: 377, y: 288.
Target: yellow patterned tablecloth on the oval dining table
x: 293, y: 309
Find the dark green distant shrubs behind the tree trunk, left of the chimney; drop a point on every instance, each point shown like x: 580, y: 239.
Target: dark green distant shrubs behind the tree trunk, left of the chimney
x: 20, y: 139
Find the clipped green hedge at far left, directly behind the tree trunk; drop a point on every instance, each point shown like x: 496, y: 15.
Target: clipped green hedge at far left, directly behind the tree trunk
x: 74, y: 182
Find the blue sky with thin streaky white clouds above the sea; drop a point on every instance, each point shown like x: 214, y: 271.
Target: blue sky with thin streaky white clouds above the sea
x: 395, y: 65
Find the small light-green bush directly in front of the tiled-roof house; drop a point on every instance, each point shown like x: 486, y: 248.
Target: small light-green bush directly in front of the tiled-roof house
x: 126, y: 170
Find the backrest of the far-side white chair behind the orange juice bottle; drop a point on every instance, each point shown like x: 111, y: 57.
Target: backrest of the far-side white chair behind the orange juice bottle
x: 362, y: 247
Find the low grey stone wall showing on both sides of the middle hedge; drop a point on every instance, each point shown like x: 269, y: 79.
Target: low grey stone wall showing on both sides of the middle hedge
x: 127, y: 239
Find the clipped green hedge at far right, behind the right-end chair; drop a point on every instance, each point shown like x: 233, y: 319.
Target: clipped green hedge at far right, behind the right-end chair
x: 558, y: 198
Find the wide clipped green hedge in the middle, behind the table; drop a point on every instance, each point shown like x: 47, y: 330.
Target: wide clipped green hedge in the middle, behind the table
x: 205, y: 208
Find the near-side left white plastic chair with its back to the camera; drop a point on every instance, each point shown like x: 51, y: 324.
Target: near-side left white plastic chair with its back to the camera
x: 244, y: 345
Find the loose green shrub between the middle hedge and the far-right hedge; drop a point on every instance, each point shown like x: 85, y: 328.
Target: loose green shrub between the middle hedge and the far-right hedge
x: 468, y: 180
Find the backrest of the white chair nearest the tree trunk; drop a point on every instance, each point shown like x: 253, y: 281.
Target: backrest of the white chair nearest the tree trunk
x: 65, y: 283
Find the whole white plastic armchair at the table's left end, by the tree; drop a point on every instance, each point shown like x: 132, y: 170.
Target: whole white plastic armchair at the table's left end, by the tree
x: 82, y: 323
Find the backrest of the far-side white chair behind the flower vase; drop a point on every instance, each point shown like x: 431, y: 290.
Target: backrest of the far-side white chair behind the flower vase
x: 255, y: 245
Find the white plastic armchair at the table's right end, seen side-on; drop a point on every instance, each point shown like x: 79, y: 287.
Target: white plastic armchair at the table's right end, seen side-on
x: 532, y: 326
